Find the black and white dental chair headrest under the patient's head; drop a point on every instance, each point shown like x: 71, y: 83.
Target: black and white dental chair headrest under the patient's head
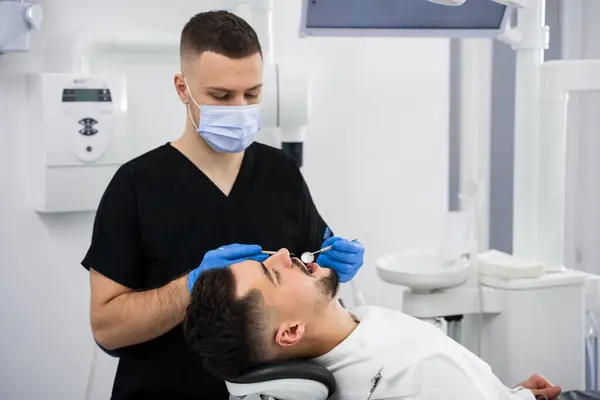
x: 292, y: 380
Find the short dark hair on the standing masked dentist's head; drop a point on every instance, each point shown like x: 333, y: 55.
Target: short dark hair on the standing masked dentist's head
x: 219, y: 32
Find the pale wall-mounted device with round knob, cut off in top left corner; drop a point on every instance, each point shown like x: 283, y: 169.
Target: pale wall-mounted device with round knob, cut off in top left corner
x: 17, y: 20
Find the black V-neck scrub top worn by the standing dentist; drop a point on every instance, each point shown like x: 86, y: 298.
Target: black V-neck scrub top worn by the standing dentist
x: 159, y: 216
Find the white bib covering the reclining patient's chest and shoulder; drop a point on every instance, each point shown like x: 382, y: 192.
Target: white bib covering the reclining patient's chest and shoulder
x: 394, y: 342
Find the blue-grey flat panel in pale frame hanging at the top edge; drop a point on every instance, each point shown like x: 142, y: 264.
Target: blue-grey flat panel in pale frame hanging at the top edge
x: 427, y: 18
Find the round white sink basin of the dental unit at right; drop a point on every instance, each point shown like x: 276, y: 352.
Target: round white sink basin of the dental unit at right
x: 423, y: 270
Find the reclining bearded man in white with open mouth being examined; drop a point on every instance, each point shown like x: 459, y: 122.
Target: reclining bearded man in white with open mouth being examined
x: 254, y: 313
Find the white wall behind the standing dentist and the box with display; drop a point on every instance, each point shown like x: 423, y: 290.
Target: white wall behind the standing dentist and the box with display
x: 376, y: 162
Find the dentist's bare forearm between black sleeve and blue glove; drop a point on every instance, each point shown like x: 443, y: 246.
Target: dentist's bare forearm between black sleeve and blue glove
x: 137, y: 317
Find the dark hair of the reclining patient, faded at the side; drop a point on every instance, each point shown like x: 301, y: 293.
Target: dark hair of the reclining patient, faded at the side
x: 227, y: 331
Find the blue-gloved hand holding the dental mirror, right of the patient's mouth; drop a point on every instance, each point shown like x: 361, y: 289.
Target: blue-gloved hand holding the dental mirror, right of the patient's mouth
x: 345, y: 257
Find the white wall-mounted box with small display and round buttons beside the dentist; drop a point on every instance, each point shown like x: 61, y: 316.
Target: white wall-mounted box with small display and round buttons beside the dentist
x: 78, y: 138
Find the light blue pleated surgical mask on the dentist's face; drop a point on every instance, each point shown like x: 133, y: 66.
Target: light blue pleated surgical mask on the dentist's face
x: 227, y: 129
